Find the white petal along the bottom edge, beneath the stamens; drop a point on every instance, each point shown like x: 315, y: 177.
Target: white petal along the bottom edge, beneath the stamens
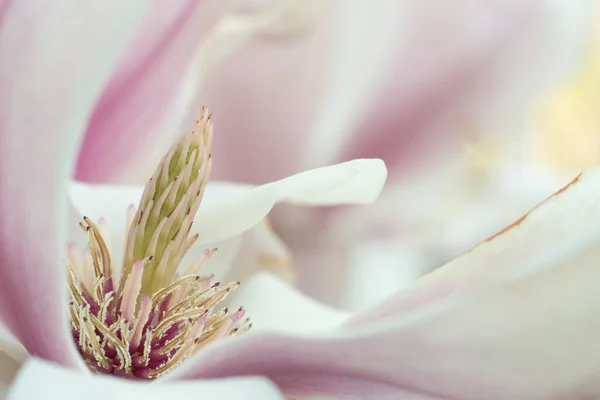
x: 39, y: 379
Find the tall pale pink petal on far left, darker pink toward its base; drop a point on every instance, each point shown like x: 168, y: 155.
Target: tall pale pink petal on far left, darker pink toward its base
x: 54, y: 60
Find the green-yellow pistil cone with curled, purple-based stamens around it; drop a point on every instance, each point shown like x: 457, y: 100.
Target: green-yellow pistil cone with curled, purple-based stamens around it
x: 144, y: 323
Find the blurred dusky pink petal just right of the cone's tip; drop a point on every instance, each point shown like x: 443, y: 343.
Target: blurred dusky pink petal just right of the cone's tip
x: 265, y: 100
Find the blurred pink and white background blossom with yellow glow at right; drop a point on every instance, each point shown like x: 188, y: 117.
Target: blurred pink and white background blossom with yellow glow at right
x: 479, y: 109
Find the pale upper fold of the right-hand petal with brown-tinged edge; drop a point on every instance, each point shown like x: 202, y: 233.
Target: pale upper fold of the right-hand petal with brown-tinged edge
x: 553, y: 230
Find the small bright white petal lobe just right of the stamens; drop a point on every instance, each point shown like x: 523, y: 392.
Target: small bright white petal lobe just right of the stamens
x: 274, y: 305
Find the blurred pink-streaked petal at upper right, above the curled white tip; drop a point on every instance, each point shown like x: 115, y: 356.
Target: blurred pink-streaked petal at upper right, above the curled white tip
x: 418, y: 99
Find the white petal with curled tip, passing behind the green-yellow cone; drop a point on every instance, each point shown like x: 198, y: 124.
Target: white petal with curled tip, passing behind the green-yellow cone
x: 229, y: 209
